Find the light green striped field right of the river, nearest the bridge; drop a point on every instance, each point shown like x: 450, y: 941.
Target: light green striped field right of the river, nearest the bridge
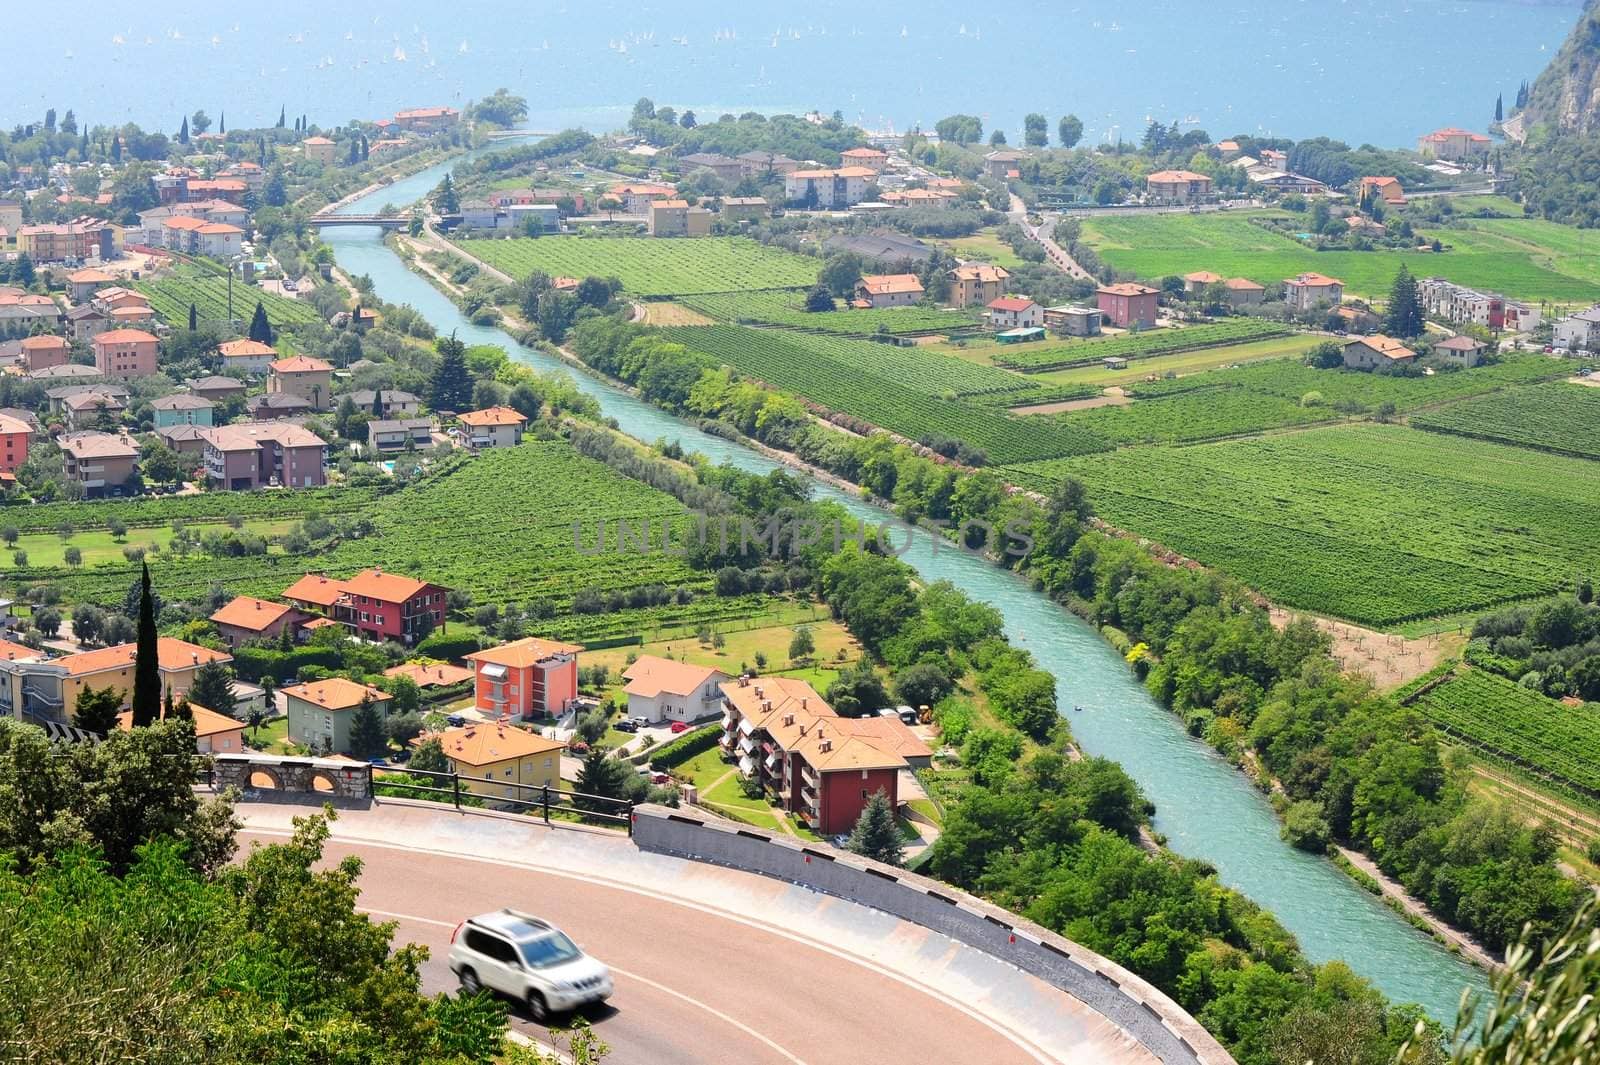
x: 652, y: 266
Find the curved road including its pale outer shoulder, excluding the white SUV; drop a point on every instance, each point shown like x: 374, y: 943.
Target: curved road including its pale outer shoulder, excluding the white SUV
x: 713, y: 967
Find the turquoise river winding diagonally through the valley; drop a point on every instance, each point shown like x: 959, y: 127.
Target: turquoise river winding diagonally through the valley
x: 1206, y: 808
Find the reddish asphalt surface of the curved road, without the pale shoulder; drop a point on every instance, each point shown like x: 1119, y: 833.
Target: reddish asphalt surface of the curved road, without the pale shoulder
x: 694, y: 986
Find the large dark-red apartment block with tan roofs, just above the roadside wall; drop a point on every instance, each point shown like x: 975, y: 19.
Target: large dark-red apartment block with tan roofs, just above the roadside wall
x: 810, y: 762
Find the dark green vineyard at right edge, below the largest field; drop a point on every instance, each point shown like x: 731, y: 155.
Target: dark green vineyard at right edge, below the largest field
x: 1521, y: 727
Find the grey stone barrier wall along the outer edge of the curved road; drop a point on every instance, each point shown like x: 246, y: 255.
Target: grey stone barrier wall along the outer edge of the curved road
x: 1124, y: 999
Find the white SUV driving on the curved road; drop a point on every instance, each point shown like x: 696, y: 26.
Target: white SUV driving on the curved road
x: 527, y: 960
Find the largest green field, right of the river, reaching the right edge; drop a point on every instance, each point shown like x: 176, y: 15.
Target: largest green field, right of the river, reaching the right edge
x: 1377, y: 524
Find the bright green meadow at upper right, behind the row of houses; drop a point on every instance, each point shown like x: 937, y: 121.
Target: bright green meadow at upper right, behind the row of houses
x: 1513, y: 257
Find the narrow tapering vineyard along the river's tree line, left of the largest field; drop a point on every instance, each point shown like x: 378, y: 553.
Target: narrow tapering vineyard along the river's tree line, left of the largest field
x: 900, y: 389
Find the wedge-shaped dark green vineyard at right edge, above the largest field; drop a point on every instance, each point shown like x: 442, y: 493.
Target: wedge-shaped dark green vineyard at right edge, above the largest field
x: 1562, y: 418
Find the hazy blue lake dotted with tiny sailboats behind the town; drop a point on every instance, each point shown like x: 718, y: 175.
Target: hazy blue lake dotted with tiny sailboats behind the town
x: 1366, y: 71
